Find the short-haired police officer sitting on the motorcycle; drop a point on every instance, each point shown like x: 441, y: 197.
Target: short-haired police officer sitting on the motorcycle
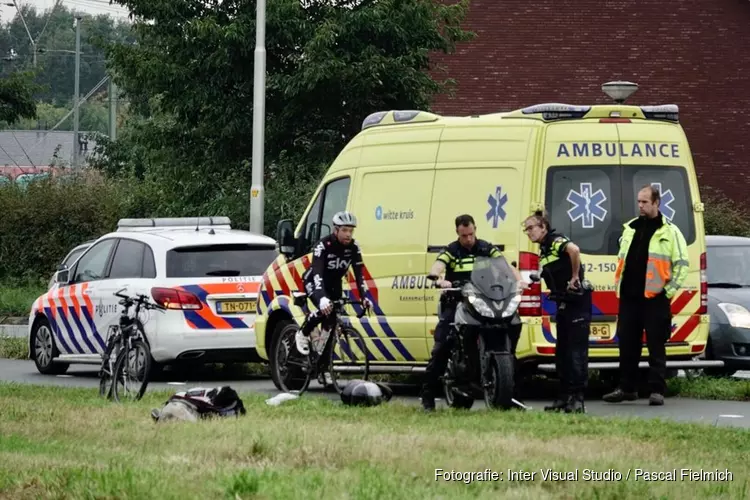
x: 458, y: 262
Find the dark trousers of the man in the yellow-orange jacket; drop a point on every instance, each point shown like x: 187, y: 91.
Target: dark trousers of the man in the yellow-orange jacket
x: 635, y: 316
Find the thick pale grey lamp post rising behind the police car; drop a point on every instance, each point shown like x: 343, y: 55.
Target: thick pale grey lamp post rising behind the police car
x: 259, y: 111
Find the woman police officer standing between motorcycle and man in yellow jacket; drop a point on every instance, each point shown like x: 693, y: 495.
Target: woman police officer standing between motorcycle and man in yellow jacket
x: 563, y: 273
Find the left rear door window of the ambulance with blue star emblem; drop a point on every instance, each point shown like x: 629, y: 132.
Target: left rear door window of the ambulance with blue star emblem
x: 585, y: 204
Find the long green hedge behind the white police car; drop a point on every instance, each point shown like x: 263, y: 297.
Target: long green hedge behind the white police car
x: 44, y: 220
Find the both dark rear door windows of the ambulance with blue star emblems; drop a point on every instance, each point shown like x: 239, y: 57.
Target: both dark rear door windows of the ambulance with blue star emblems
x: 590, y: 204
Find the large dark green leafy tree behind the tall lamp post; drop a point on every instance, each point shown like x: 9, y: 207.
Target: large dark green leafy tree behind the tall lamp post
x: 190, y: 76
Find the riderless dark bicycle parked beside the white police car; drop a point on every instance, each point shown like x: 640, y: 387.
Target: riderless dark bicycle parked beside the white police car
x: 124, y: 339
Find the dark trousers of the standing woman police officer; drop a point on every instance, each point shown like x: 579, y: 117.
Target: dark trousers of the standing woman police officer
x: 572, y: 352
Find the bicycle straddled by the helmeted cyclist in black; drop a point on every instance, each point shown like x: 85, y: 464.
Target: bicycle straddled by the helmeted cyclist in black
x: 293, y: 372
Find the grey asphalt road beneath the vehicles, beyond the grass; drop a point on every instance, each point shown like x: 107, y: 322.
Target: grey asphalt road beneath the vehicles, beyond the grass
x: 717, y: 413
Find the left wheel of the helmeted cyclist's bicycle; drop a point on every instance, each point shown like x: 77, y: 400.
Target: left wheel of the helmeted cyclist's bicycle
x: 291, y: 370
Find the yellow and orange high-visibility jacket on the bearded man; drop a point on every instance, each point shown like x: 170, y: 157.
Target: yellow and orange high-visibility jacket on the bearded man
x: 668, y: 263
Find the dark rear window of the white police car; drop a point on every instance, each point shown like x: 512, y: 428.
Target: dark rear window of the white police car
x: 219, y: 260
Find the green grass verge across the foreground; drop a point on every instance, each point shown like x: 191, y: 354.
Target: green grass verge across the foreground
x: 68, y: 443
